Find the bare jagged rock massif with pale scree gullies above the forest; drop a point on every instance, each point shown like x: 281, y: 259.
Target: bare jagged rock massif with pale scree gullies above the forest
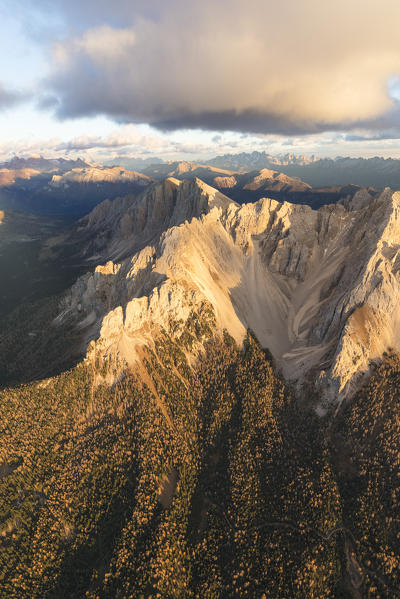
x: 320, y: 288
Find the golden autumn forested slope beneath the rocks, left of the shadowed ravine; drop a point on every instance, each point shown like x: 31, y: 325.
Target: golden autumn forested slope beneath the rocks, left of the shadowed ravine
x: 206, y: 482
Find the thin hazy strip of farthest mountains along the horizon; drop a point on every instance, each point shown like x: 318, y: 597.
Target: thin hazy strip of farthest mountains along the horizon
x: 374, y: 172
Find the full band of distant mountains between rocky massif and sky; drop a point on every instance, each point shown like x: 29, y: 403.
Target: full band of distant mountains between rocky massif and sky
x: 74, y: 187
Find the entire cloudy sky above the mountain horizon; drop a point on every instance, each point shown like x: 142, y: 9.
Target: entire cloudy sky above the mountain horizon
x: 178, y: 79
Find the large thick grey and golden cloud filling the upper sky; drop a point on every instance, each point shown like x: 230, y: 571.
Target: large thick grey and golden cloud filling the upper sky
x: 298, y: 66
